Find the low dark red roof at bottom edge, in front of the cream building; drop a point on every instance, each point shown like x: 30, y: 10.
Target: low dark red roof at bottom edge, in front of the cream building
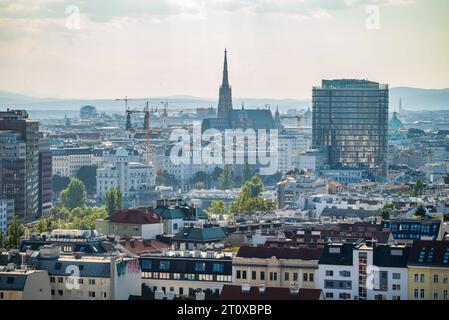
x: 232, y: 292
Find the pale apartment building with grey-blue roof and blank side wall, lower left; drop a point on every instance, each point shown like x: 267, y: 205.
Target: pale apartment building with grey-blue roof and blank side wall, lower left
x: 81, y: 277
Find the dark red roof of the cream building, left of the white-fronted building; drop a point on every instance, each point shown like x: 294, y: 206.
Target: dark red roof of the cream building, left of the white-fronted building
x: 280, y: 253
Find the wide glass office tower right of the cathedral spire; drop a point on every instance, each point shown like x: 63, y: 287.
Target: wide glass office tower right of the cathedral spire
x: 350, y: 125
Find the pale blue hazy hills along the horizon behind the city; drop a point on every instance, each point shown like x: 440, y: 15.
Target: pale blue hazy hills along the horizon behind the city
x: 412, y: 99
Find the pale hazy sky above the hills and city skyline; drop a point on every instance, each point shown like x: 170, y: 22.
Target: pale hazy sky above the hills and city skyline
x: 277, y: 48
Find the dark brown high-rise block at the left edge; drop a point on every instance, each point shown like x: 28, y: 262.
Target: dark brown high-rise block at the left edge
x: 20, y: 161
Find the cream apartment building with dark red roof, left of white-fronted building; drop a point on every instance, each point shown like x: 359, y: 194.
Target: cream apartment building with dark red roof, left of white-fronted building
x: 276, y: 267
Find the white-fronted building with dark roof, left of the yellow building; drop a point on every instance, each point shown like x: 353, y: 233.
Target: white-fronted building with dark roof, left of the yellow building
x: 363, y: 271
